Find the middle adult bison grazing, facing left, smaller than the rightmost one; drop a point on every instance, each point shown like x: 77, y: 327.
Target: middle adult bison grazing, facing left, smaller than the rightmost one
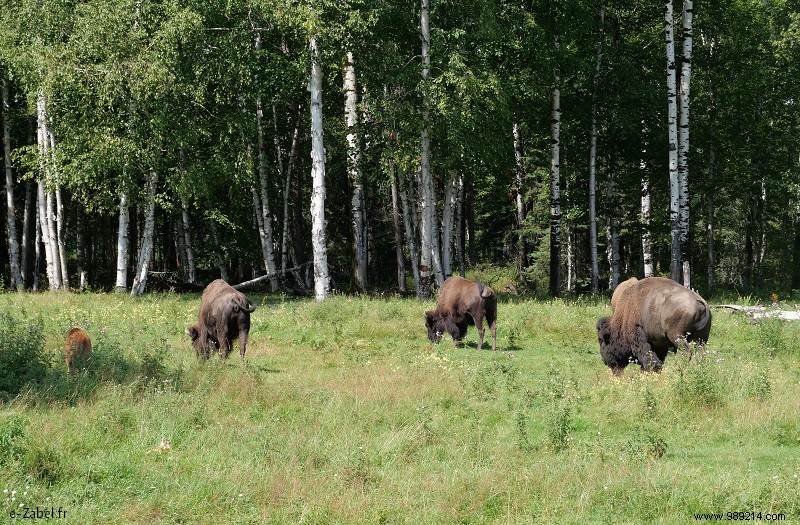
x: 462, y: 303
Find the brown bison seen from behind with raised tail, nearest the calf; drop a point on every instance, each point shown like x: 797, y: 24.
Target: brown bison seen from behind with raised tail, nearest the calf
x: 224, y: 317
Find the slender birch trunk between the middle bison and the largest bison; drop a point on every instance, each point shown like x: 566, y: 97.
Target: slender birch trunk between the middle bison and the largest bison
x: 555, y: 186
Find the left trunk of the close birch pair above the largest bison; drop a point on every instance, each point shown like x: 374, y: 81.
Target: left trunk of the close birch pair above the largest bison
x: 672, y: 123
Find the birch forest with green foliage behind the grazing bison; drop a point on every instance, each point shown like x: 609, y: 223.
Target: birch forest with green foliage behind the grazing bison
x: 358, y: 146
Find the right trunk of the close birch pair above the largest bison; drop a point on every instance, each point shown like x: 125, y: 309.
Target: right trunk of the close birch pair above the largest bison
x: 683, y: 137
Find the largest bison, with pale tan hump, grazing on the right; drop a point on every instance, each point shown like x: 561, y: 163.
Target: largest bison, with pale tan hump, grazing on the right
x: 650, y: 318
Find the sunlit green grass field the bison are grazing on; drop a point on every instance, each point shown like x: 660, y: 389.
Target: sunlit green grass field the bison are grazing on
x: 342, y: 412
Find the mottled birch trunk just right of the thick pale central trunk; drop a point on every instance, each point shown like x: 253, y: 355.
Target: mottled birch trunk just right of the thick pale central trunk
x: 357, y: 207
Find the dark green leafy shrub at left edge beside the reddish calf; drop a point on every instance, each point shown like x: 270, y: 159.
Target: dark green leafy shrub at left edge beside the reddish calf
x: 22, y: 358
